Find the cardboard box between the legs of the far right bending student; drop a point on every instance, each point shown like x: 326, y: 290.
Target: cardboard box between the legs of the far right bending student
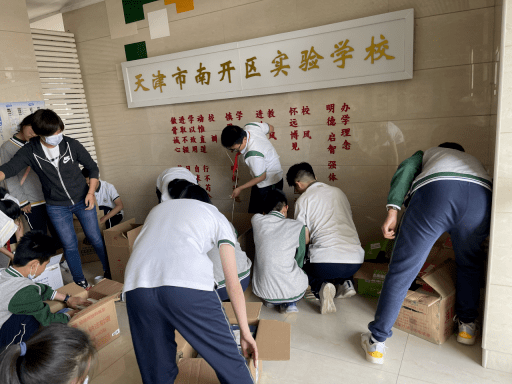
x: 429, y: 315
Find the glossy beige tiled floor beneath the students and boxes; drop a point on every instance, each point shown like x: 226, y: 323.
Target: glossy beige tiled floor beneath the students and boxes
x: 325, y: 349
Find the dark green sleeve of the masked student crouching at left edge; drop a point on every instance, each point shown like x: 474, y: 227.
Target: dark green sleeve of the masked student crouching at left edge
x: 28, y: 301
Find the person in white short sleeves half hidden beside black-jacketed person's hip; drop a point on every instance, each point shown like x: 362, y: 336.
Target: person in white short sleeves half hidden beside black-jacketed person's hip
x: 108, y: 201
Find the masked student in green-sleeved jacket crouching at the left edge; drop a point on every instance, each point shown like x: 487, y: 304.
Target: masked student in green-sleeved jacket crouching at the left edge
x: 22, y: 307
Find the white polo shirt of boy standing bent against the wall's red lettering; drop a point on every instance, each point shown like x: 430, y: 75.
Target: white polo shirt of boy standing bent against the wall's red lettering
x: 260, y: 155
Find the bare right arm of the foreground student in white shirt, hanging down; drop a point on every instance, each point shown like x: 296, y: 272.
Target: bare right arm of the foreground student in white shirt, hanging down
x: 227, y: 256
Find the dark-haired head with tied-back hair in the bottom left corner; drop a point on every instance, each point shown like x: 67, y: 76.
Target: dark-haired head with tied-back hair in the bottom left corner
x: 57, y: 354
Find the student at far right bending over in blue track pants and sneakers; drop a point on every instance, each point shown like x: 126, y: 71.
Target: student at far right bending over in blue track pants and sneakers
x: 450, y: 191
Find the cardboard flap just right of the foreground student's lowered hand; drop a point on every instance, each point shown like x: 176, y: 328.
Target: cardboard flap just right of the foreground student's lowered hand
x: 273, y: 339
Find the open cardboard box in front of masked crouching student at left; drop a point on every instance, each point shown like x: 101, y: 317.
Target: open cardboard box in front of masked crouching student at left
x: 100, y: 319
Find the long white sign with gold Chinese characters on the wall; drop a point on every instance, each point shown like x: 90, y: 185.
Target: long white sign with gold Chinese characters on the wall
x: 368, y: 50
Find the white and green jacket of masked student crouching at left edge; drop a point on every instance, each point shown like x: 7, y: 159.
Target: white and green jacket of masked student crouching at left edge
x: 21, y: 296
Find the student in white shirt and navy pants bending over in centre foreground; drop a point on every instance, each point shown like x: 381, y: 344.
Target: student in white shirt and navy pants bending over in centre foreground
x: 169, y: 285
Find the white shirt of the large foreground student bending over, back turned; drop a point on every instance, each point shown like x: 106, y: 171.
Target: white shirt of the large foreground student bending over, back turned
x: 171, y: 249
